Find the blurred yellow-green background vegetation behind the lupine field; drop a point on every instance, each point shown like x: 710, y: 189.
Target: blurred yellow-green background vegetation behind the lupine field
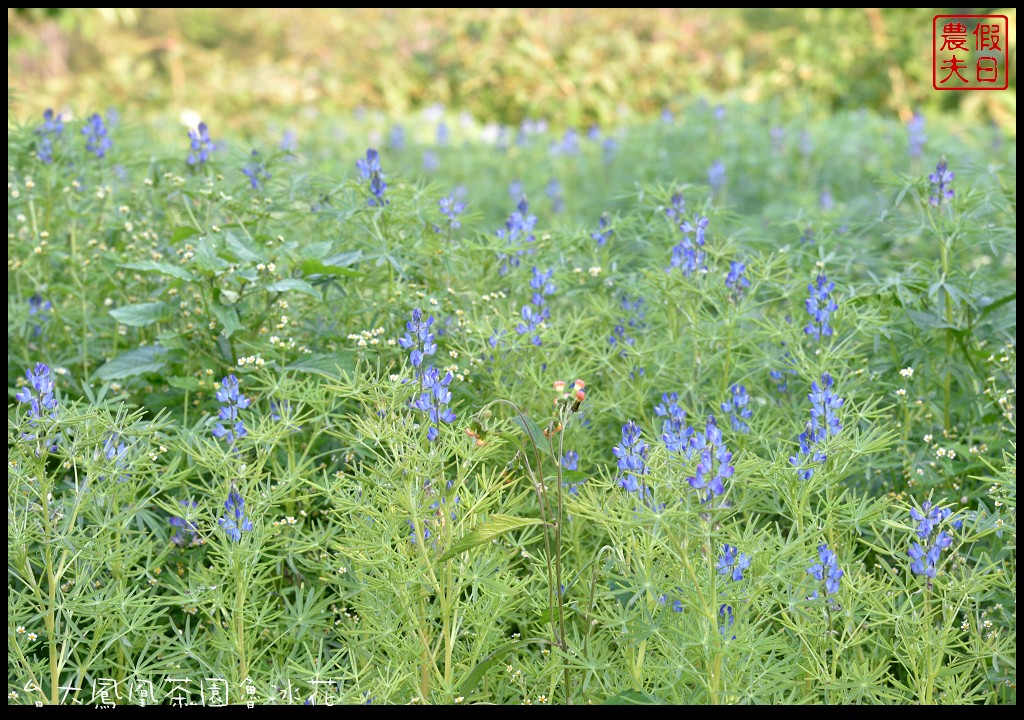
x: 574, y: 67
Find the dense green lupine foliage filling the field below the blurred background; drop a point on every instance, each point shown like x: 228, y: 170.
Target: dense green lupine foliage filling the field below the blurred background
x: 374, y: 564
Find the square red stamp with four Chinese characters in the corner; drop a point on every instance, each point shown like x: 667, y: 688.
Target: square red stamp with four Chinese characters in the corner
x: 970, y: 53
